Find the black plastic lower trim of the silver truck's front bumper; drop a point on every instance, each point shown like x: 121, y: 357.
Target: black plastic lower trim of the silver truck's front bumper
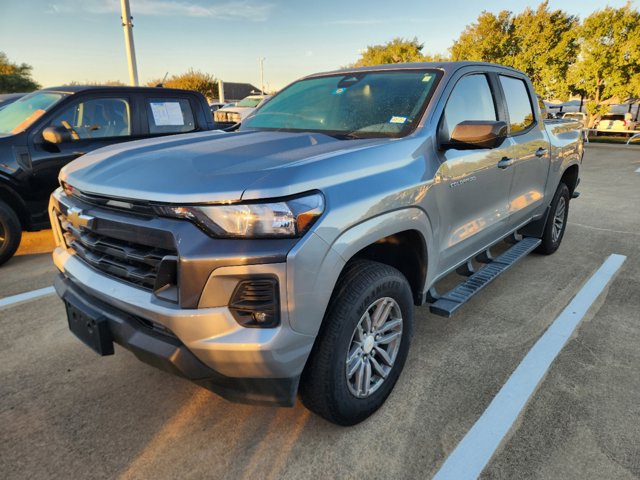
x: 167, y: 353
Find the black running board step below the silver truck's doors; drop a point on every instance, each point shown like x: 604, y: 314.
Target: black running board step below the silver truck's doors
x: 448, y: 303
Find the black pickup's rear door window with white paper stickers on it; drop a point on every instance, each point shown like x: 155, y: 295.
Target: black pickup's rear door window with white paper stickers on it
x: 170, y: 115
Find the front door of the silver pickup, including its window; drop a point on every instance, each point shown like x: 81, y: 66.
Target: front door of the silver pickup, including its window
x: 472, y: 191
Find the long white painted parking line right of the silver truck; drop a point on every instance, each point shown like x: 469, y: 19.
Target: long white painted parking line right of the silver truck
x: 475, y: 450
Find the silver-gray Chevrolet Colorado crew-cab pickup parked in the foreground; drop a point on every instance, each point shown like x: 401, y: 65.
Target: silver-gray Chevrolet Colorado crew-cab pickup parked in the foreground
x: 286, y: 257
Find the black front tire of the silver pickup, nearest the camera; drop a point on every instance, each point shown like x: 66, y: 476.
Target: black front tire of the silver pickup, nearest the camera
x: 324, y: 386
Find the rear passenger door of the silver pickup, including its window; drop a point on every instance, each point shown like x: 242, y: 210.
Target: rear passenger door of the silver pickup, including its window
x: 528, y: 149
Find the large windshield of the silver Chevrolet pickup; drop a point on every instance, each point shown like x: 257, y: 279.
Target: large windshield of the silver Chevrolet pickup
x: 355, y: 105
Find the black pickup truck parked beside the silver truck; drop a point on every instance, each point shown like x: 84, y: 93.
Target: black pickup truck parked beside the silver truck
x: 43, y: 131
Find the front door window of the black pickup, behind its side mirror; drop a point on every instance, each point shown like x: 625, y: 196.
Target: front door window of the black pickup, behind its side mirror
x: 96, y: 118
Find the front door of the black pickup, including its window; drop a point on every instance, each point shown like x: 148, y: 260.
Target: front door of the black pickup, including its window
x: 92, y: 122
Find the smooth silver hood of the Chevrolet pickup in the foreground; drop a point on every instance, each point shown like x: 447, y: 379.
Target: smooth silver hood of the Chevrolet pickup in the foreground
x: 199, y: 168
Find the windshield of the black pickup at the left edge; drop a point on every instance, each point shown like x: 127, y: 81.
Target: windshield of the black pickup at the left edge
x: 19, y: 115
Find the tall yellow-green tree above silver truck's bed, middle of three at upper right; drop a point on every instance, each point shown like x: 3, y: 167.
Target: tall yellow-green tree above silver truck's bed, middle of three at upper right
x: 545, y: 45
